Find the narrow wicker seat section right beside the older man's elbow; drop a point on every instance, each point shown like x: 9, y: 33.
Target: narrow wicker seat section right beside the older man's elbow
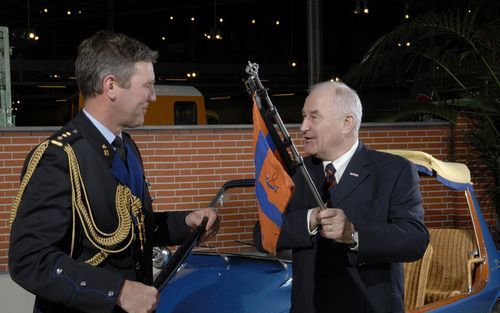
x: 416, y: 276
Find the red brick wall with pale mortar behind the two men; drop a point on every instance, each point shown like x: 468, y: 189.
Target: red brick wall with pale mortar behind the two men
x: 187, y: 166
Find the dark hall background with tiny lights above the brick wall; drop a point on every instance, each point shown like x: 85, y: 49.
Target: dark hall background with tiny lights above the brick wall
x: 44, y: 90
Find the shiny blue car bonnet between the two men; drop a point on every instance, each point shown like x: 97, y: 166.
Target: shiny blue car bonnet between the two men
x: 228, y: 283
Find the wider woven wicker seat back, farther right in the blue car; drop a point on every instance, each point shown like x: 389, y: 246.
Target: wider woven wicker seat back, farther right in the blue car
x: 448, y: 267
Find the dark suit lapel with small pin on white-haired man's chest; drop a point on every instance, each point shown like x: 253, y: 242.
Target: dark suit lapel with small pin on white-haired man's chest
x: 356, y: 172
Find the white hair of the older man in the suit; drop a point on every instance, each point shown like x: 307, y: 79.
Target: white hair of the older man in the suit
x: 346, y: 100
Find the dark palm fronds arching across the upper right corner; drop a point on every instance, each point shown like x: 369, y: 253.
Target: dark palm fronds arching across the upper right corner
x: 449, y: 40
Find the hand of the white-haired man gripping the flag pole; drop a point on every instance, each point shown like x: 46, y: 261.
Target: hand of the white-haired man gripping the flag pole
x: 335, y: 225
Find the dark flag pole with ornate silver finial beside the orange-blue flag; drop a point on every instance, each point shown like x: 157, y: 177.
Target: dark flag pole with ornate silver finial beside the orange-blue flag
x: 270, y: 116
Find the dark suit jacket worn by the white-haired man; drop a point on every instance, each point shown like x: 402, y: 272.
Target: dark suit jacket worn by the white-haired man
x: 380, y: 195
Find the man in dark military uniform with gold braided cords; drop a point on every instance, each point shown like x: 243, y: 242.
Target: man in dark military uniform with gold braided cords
x: 82, y: 223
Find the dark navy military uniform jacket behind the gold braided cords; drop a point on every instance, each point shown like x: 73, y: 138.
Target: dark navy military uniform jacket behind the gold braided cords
x: 41, y: 234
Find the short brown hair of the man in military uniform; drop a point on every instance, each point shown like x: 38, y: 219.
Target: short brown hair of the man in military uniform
x: 108, y: 53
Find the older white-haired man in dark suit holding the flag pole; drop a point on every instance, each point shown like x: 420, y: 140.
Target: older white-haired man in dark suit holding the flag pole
x: 346, y: 258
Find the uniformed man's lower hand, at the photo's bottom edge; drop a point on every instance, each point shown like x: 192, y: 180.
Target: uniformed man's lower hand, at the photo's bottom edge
x: 138, y: 298
